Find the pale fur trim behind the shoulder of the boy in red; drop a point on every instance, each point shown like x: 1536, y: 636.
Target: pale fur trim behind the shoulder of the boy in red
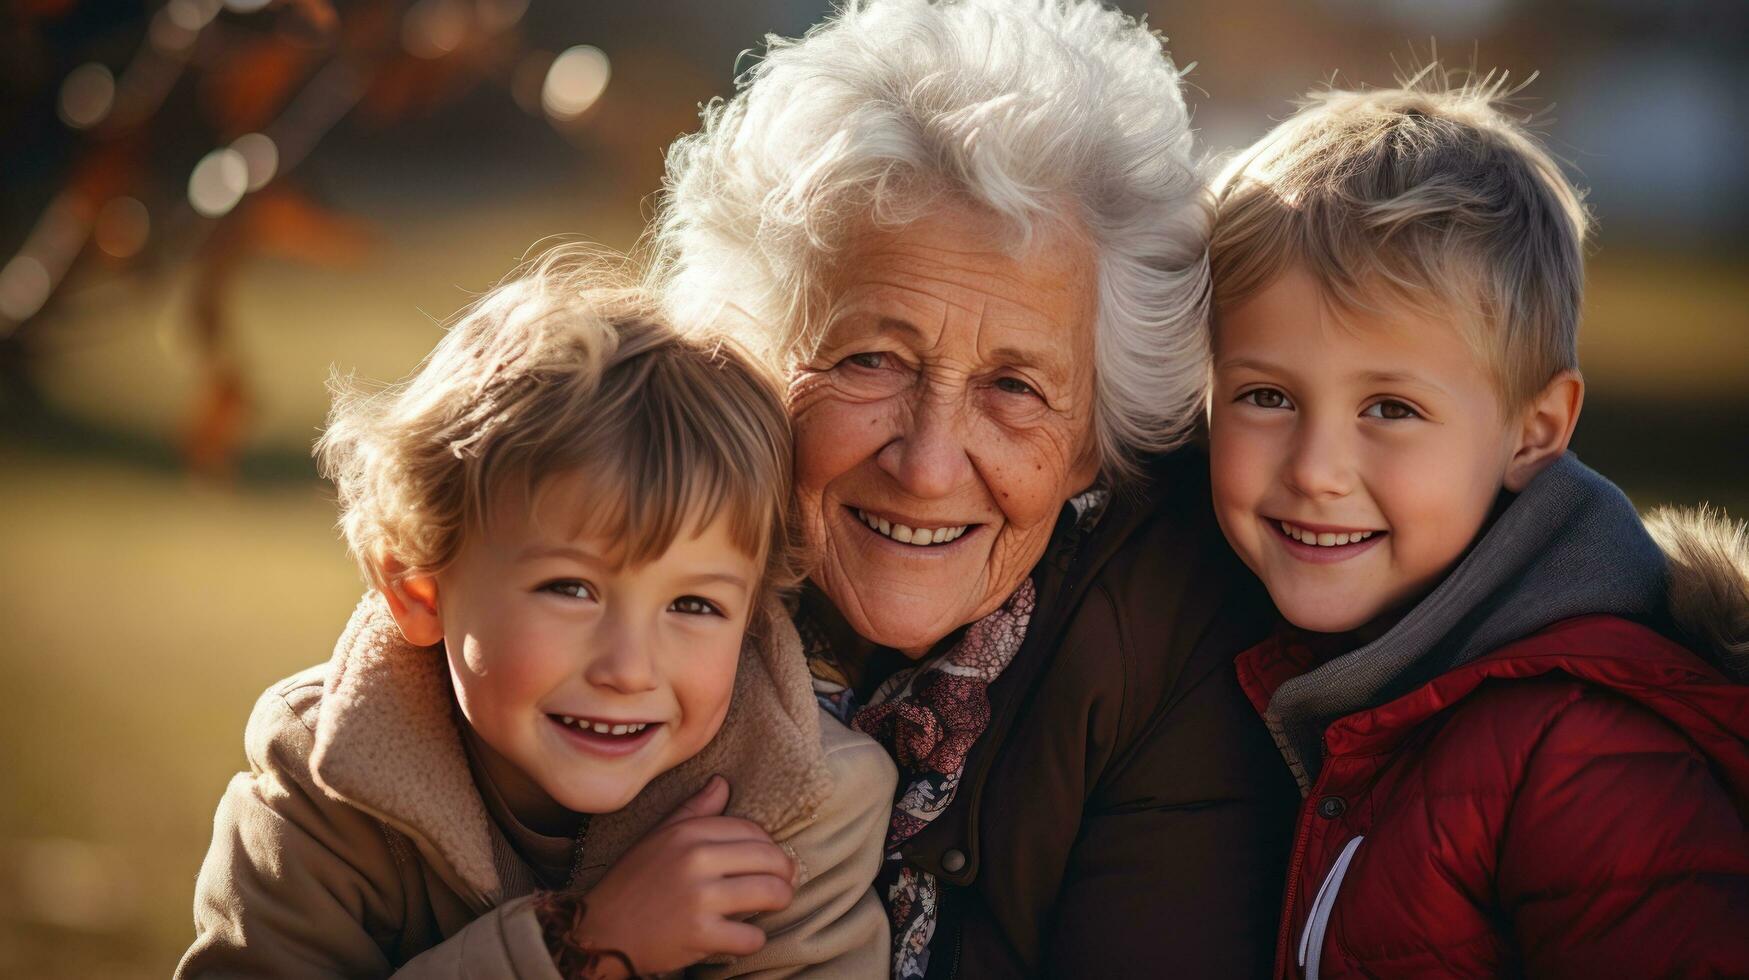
x: 1708, y: 559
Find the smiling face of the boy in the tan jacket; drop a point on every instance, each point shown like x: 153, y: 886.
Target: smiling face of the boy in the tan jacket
x: 587, y: 676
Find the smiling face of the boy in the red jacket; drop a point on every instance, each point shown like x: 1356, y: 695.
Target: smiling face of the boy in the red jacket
x: 1355, y: 458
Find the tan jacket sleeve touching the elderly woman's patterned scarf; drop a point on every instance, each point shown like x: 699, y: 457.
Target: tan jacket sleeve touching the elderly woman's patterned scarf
x: 835, y: 927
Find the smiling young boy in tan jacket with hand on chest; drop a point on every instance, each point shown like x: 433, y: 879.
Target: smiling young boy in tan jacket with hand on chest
x: 571, y: 662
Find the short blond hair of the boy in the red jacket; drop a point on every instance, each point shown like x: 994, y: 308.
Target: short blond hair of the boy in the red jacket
x: 1428, y: 195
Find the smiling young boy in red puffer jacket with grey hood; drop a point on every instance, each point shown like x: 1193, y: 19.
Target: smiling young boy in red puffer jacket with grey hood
x: 1510, y: 767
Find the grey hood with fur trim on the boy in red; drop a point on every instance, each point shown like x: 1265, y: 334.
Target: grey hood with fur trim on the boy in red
x: 1570, y: 545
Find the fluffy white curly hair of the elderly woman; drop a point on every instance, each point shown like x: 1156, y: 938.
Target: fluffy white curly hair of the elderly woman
x: 1029, y: 109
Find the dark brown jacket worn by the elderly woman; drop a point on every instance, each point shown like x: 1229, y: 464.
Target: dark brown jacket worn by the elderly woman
x: 1125, y: 815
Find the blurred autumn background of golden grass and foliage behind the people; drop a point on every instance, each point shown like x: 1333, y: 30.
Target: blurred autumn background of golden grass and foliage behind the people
x: 207, y: 204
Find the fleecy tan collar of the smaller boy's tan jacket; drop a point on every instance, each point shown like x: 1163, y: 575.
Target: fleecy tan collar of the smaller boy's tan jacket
x: 387, y: 743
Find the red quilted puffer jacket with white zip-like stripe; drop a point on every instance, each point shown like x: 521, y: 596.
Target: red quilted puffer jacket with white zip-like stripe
x: 1570, y: 806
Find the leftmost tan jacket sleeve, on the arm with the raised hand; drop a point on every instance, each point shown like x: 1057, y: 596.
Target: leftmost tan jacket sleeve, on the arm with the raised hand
x: 298, y: 885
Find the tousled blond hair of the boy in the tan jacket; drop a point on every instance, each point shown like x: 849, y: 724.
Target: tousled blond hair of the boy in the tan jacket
x: 561, y: 370
